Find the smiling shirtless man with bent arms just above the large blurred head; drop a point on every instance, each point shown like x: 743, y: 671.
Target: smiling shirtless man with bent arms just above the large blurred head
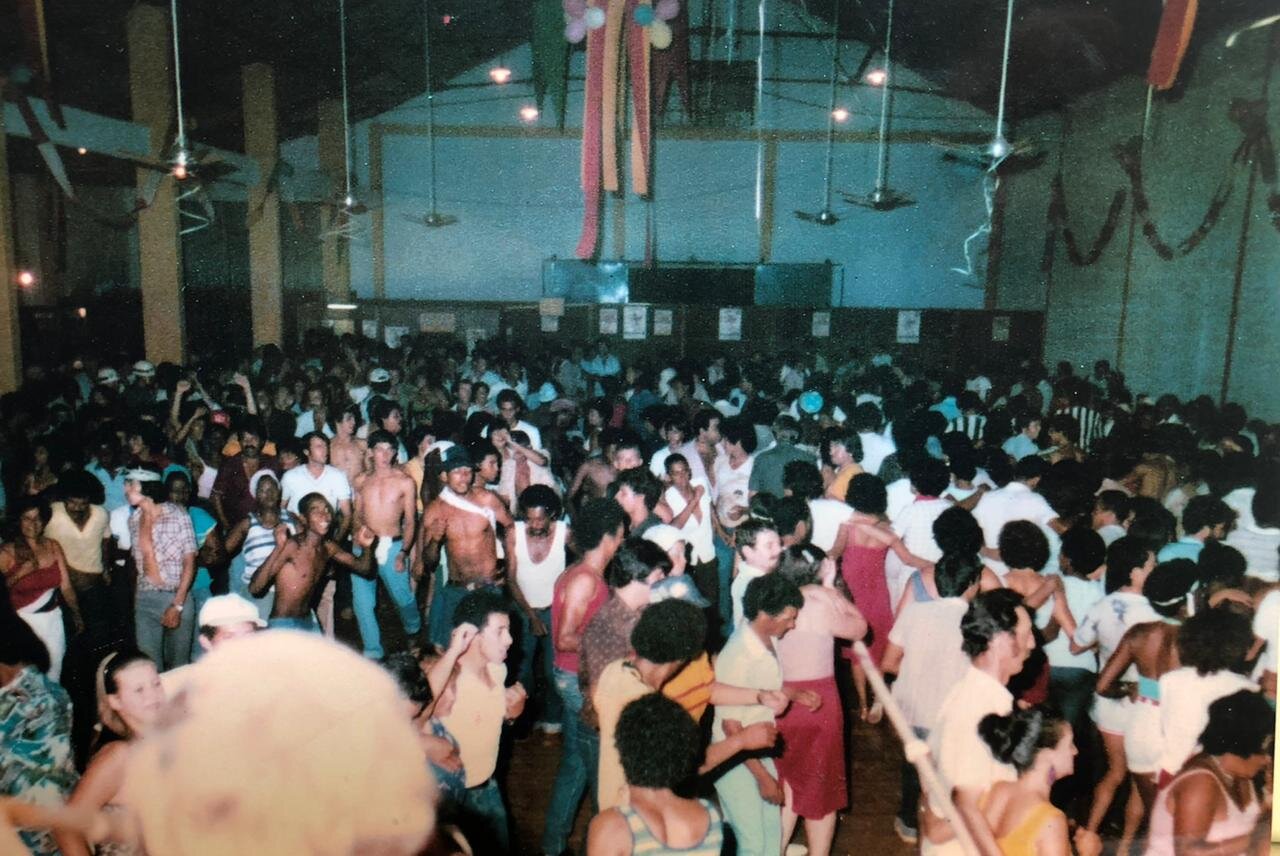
x: 298, y: 565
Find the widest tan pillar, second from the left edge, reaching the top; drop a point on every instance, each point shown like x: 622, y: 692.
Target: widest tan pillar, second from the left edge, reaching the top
x: 159, y: 244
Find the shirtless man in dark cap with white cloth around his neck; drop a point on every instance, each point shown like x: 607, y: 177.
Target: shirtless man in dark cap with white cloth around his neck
x: 464, y: 520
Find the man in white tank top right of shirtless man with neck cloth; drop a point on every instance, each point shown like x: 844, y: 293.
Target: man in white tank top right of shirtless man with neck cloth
x: 536, y: 560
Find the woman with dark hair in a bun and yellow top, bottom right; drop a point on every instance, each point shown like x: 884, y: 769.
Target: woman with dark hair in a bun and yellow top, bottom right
x: 1040, y: 747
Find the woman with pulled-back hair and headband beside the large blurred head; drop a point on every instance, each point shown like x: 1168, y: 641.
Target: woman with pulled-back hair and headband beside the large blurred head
x: 130, y: 701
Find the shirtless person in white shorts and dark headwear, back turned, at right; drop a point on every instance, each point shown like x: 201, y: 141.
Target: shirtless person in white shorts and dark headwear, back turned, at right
x: 1153, y: 649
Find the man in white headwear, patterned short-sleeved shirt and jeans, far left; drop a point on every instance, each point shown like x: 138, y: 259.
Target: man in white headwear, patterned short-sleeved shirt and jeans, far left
x: 164, y: 552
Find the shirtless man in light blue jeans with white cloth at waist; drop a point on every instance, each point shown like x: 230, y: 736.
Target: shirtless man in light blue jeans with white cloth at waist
x: 387, y: 503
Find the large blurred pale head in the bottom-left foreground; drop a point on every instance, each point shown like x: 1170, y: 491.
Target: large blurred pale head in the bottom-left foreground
x: 282, y: 744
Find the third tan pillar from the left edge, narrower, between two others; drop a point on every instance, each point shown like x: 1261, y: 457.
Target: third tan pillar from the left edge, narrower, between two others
x: 262, y: 143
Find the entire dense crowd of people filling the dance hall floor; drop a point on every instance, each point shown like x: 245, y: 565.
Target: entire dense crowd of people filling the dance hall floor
x: 1072, y: 589
